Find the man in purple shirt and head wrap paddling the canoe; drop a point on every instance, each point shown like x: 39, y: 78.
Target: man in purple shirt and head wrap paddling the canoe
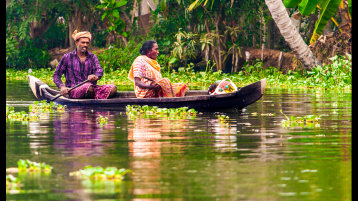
x: 78, y: 66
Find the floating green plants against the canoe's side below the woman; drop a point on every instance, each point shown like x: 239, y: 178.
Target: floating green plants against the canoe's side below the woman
x: 134, y: 111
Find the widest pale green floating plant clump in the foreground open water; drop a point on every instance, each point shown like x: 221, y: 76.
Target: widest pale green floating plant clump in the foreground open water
x: 99, y: 173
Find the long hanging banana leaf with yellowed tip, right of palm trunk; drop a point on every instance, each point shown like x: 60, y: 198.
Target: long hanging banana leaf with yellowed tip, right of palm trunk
x: 329, y: 8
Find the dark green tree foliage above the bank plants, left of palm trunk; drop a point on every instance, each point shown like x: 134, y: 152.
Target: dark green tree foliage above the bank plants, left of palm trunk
x: 113, y: 25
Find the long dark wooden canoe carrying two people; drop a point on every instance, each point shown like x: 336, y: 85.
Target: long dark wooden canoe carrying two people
x: 198, y: 99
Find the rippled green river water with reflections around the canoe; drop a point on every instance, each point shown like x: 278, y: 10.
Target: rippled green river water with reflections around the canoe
x: 252, y: 157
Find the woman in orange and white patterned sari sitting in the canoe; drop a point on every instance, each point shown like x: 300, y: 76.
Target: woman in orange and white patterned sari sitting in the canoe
x: 148, y: 81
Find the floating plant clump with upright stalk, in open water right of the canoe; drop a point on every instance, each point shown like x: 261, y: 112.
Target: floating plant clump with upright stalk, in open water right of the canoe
x: 305, y: 121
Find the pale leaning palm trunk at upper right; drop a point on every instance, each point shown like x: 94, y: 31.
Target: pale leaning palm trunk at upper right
x: 290, y: 33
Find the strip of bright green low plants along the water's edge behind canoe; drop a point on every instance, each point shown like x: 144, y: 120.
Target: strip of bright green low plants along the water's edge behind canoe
x: 337, y: 75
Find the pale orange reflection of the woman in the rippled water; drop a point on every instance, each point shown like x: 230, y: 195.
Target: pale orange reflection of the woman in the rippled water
x: 147, y: 142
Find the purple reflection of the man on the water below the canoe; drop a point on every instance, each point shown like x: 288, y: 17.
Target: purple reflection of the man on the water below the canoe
x: 78, y: 133
